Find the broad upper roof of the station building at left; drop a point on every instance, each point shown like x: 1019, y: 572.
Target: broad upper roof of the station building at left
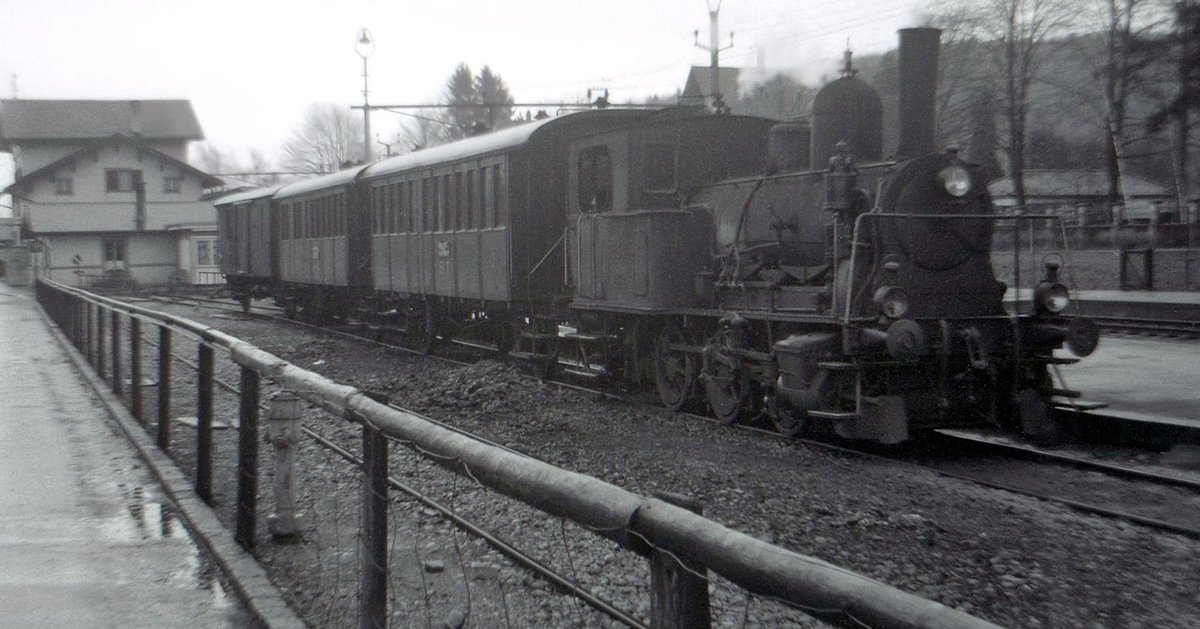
x: 47, y: 121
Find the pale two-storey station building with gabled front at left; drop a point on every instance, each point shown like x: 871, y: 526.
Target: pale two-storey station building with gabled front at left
x: 104, y: 194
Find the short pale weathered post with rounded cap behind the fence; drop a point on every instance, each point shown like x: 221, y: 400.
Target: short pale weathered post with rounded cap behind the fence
x: 284, y: 433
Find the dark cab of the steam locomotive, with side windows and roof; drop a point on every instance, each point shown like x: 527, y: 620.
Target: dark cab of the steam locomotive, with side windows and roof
x: 632, y: 244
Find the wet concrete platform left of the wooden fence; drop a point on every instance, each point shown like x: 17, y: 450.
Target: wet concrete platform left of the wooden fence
x: 87, y: 537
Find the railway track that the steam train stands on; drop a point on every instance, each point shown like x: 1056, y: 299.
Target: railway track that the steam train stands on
x: 989, y: 463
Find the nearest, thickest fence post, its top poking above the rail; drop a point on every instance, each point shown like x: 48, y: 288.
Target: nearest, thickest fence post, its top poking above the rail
x: 679, y: 595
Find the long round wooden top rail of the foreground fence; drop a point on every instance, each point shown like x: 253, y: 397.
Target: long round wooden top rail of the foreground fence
x: 635, y: 523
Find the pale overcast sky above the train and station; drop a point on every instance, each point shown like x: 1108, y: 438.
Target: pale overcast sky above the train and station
x: 253, y: 67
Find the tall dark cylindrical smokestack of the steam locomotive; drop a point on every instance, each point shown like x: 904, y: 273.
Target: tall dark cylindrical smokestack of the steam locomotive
x: 919, y: 91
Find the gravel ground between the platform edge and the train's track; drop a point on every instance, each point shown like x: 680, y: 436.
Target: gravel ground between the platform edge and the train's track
x: 1011, y: 560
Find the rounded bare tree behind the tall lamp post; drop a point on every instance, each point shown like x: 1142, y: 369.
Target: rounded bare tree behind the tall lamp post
x: 329, y: 137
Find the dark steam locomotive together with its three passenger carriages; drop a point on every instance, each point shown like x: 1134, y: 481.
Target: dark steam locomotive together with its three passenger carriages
x: 767, y: 272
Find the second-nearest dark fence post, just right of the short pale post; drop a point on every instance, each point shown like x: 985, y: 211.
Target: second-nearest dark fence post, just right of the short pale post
x: 374, y: 588
